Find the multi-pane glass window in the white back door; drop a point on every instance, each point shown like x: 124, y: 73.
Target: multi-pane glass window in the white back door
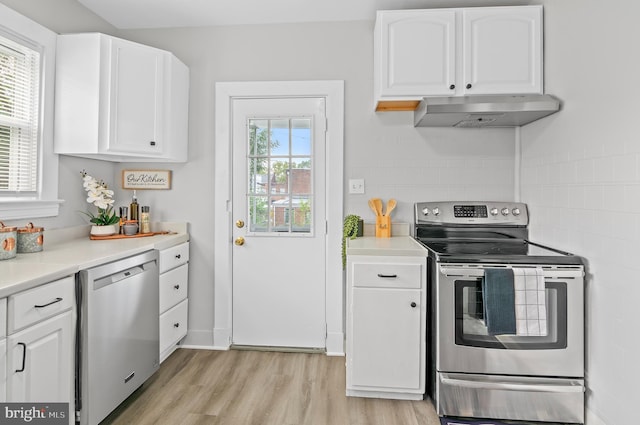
x: 279, y: 166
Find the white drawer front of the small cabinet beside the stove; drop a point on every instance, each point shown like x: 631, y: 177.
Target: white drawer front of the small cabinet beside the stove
x: 393, y: 275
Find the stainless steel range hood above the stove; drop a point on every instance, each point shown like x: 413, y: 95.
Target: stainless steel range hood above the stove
x: 484, y: 111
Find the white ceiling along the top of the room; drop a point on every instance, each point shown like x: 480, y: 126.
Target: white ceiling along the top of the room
x: 129, y: 14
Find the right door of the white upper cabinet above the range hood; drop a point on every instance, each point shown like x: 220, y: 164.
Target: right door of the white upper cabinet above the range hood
x: 502, y: 50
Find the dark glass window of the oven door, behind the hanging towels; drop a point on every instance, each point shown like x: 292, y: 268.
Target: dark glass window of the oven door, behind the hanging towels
x: 471, y: 328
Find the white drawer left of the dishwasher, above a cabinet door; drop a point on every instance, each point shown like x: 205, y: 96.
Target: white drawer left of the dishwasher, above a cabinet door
x: 31, y: 306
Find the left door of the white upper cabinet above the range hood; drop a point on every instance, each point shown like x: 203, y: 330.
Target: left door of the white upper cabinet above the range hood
x: 416, y: 53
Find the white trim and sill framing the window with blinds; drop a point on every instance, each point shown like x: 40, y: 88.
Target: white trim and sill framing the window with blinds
x: 45, y: 202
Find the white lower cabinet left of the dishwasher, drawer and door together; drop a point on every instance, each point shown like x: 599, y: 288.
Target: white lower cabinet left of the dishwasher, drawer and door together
x: 40, y: 345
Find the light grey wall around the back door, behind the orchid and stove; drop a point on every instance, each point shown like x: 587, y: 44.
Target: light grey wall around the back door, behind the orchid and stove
x: 395, y: 159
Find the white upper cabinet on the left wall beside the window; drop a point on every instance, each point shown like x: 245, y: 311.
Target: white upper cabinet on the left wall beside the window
x: 120, y: 101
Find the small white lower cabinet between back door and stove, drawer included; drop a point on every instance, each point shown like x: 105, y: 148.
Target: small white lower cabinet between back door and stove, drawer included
x: 386, y: 326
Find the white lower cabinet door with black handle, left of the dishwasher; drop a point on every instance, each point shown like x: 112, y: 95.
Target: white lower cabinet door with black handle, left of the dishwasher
x: 40, y: 358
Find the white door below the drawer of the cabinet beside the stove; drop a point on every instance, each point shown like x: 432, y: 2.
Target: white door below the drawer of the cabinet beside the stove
x: 385, y: 338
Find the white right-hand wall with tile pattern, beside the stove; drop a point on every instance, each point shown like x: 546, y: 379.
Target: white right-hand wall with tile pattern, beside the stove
x: 581, y: 179
